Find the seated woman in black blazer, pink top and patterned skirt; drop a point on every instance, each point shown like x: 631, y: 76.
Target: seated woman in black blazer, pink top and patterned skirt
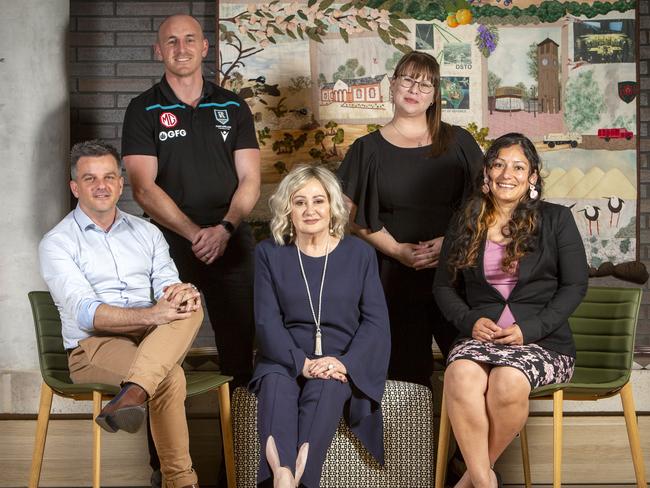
x: 512, y: 270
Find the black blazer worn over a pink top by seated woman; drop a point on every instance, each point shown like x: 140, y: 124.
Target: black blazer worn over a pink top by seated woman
x: 552, y: 282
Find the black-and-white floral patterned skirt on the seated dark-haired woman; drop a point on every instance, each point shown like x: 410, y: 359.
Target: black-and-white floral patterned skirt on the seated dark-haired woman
x: 541, y: 366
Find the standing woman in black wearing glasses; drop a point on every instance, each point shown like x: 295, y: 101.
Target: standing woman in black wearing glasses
x: 403, y: 183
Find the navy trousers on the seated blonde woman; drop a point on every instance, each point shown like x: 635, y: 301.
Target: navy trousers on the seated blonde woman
x: 295, y: 411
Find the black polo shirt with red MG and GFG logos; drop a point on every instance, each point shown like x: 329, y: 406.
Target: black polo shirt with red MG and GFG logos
x: 194, y: 146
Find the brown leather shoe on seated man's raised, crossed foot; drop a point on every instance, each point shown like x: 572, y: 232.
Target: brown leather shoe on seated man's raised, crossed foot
x: 124, y: 412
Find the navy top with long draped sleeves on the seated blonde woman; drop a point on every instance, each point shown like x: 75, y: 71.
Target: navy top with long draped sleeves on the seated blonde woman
x: 354, y: 323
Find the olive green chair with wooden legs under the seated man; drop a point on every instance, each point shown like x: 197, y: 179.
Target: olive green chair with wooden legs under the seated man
x: 53, y: 362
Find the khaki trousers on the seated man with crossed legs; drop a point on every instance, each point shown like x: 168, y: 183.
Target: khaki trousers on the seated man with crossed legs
x: 153, y: 362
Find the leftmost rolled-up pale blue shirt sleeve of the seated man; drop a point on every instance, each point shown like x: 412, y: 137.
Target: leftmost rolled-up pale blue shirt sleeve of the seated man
x: 70, y: 289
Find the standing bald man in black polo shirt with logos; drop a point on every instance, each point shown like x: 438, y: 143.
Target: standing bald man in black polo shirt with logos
x: 193, y: 161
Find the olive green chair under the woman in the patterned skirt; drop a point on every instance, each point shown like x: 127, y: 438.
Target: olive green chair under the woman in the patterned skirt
x: 603, y: 326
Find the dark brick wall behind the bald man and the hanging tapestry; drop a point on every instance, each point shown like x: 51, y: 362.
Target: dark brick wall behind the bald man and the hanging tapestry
x: 111, y: 61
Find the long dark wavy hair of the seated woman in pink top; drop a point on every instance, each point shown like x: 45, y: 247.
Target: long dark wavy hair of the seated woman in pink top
x: 472, y: 222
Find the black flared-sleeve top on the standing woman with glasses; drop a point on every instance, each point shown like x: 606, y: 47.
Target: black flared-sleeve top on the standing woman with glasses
x: 406, y: 190
